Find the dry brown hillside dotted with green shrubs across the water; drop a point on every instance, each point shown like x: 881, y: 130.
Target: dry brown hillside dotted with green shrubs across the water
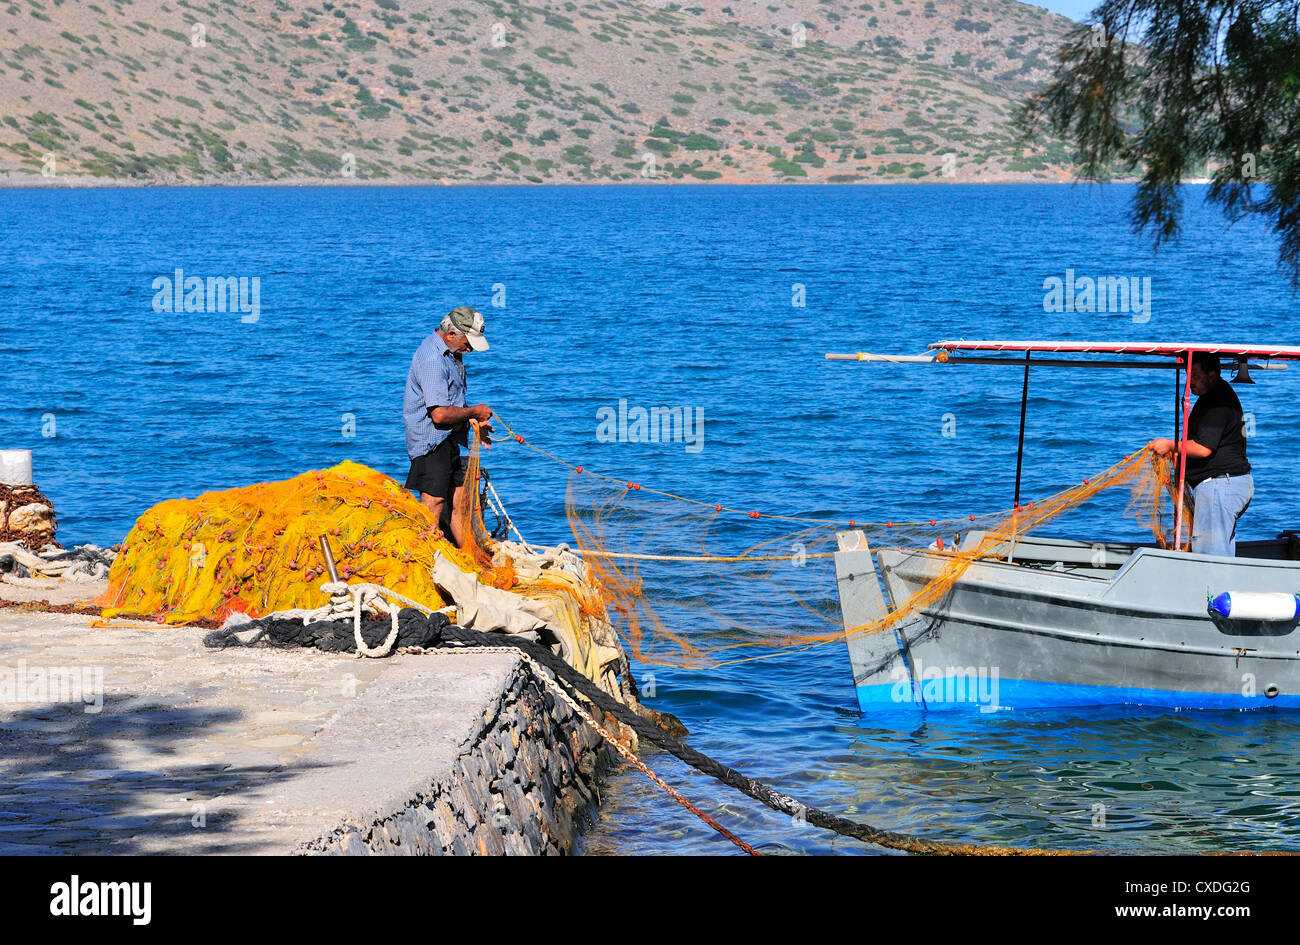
x: 487, y: 92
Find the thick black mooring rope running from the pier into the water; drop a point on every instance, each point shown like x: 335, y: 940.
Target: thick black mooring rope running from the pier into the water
x: 418, y: 630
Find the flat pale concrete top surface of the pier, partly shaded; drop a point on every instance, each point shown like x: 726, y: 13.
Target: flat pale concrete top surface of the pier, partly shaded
x: 201, y: 752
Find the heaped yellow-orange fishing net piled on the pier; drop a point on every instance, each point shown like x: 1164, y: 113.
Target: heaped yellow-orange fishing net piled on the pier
x: 255, y: 550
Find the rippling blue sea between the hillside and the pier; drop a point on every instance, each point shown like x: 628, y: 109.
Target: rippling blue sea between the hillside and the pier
x: 721, y: 301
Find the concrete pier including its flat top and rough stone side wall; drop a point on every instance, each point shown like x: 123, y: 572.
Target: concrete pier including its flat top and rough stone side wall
x: 272, y: 752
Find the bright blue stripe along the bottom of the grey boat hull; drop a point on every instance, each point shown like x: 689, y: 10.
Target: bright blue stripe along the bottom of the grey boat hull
x: 969, y: 693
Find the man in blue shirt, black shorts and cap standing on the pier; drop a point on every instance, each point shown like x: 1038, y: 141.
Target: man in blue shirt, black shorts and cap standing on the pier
x: 437, y: 419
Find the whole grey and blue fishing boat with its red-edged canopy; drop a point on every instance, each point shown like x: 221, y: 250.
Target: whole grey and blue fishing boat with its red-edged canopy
x: 1052, y: 622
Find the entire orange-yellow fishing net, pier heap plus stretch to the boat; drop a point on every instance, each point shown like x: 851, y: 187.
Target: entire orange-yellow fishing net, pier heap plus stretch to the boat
x: 255, y: 552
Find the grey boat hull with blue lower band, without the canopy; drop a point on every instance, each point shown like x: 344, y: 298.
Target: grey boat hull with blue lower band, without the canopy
x: 1028, y: 635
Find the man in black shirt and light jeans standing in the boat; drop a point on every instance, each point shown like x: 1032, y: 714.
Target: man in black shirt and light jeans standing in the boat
x: 1217, y: 470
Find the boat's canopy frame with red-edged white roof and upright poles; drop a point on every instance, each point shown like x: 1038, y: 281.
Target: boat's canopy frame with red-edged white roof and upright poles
x: 1171, y: 356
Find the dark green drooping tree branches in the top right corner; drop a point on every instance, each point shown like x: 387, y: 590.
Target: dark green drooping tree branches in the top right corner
x: 1216, y: 85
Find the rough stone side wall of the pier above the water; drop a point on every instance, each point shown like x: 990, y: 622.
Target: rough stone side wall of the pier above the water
x: 525, y: 784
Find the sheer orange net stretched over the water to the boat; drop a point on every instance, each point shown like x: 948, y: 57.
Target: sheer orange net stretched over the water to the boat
x: 790, y: 604
